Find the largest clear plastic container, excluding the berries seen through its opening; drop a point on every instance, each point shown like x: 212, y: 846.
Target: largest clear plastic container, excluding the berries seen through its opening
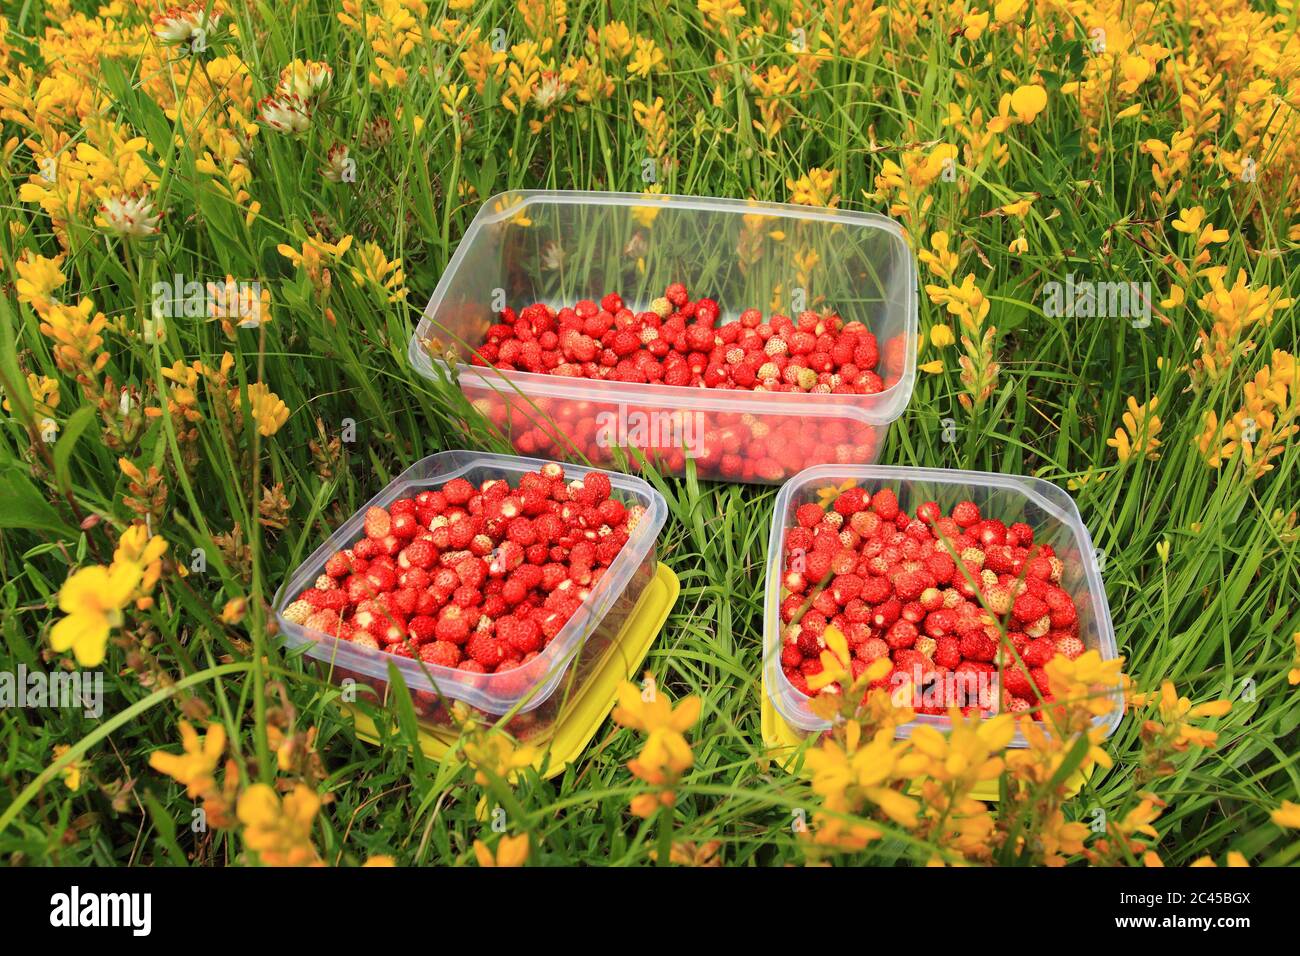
x: 562, y: 248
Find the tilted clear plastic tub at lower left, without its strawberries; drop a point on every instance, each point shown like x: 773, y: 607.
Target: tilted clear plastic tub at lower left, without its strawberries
x: 530, y: 695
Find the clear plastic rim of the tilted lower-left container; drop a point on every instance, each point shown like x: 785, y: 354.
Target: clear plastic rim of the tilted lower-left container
x: 450, y: 682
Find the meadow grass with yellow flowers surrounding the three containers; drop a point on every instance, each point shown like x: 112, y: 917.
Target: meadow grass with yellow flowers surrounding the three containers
x: 1215, y: 613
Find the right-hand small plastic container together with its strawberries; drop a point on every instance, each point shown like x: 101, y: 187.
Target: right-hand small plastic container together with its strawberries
x: 968, y: 585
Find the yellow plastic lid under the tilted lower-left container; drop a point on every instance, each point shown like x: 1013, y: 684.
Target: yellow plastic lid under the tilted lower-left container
x: 586, y: 711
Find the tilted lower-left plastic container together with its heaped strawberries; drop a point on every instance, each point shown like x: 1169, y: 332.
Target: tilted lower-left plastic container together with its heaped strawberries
x: 492, y: 581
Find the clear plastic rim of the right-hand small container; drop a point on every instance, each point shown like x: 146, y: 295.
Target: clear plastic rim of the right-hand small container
x: 1039, y: 491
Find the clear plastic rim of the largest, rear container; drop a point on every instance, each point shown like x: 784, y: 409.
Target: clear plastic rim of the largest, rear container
x: 887, y: 405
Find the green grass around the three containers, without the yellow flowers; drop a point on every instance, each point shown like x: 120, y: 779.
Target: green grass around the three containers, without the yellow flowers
x: 1216, y: 618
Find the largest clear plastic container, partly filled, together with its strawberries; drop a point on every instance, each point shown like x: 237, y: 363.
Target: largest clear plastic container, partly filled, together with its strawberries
x: 752, y: 340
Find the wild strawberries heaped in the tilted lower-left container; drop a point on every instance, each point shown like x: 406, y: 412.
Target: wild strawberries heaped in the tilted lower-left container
x: 480, y: 579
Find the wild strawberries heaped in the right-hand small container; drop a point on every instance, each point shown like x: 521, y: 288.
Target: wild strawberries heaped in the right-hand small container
x: 931, y: 592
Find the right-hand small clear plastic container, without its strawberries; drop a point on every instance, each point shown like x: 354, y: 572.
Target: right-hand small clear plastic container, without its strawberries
x: 1039, y: 504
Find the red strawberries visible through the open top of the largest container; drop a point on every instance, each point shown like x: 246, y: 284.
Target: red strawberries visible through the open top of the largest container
x: 678, y: 341
